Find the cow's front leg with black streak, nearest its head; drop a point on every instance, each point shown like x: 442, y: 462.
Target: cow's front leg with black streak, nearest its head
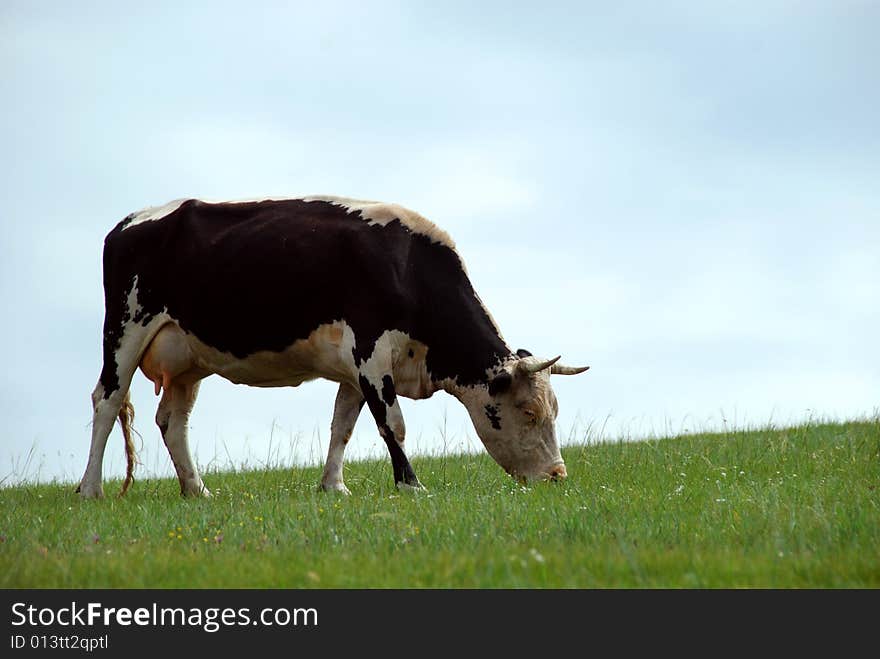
x: 382, y: 400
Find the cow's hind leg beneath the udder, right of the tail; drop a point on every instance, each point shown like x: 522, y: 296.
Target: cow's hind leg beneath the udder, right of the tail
x: 172, y: 418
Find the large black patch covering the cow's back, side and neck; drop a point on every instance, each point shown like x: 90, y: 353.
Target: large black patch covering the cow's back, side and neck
x: 252, y: 276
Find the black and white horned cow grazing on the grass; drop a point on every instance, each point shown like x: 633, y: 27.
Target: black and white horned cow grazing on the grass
x: 276, y: 292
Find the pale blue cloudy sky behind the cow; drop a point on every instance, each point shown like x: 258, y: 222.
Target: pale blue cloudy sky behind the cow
x: 684, y: 196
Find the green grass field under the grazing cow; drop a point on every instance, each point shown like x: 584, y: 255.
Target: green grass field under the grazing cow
x: 779, y: 508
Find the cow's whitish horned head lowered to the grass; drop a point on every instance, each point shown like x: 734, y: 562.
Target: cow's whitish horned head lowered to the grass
x: 516, y: 417
